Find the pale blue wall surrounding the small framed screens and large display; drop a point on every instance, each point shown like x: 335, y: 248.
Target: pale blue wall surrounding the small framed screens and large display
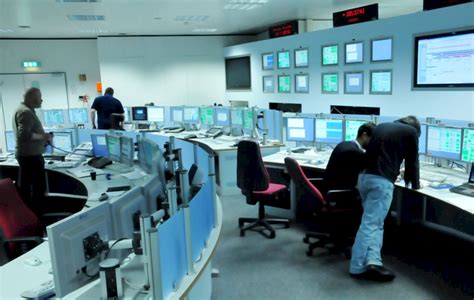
x: 440, y: 104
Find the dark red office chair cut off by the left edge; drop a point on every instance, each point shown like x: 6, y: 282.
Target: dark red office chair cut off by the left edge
x: 20, y: 228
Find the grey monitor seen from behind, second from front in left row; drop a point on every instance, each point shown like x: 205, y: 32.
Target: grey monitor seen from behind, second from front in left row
x: 125, y: 211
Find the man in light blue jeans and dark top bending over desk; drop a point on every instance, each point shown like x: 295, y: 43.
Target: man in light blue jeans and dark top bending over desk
x: 390, y: 145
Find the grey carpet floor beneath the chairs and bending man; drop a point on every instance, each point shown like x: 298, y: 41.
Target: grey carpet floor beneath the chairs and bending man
x: 254, y: 267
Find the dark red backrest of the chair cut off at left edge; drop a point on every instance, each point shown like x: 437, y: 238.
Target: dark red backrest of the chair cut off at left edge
x: 16, y: 219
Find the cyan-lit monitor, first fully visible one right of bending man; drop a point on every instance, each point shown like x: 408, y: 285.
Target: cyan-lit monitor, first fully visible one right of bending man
x: 444, y: 142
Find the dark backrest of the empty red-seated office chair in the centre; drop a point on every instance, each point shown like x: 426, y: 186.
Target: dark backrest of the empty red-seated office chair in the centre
x: 251, y: 172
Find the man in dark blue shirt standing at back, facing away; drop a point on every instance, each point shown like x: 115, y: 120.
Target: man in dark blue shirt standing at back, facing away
x: 105, y: 106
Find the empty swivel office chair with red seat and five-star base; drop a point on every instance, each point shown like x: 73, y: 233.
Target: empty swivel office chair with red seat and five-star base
x: 254, y: 182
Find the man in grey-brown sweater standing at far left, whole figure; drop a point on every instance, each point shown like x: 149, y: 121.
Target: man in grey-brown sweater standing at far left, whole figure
x: 30, y: 146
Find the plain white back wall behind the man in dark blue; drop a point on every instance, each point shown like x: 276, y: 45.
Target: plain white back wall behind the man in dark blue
x: 166, y: 70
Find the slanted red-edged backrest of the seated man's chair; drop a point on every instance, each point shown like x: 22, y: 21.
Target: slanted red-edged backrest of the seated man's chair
x: 305, y: 190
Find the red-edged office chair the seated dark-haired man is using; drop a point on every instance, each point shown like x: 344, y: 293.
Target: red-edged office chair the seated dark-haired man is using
x: 334, y: 212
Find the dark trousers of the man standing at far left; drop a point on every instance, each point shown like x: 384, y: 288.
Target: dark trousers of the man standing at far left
x: 32, y: 185
